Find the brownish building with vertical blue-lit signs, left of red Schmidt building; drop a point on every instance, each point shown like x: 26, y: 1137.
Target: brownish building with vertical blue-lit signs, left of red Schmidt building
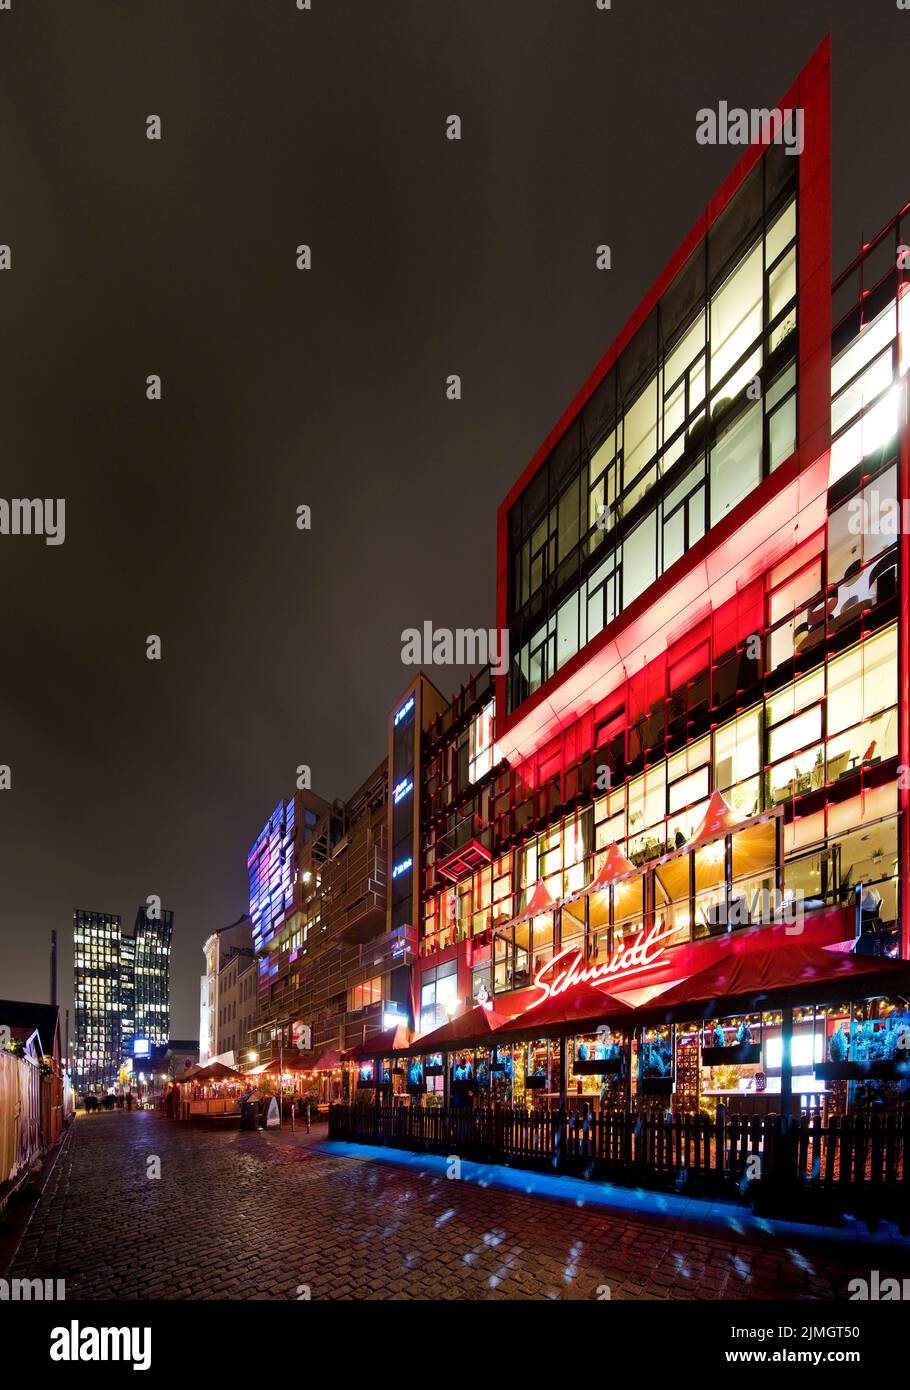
x: 338, y: 965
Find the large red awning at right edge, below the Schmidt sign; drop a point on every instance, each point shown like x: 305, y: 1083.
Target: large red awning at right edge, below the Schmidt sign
x: 763, y: 970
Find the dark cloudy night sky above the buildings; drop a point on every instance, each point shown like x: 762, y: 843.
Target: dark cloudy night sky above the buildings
x: 327, y: 389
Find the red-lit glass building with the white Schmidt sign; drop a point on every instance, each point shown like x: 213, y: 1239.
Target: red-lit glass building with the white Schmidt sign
x: 705, y: 718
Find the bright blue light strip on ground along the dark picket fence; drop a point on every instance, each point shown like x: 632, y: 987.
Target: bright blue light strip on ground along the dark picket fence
x: 691, y: 1213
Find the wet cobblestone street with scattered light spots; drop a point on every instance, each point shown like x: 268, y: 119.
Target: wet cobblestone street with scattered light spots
x: 238, y: 1216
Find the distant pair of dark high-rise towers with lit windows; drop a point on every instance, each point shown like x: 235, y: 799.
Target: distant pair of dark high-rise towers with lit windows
x: 122, y: 990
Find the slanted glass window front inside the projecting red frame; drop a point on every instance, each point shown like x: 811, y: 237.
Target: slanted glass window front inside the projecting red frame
x: 700, y: 408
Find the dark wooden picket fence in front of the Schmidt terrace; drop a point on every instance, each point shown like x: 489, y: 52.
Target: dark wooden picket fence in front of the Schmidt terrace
x: 852, y: 1157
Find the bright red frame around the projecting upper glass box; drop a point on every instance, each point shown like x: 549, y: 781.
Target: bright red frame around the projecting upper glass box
x: 793, y: 497
